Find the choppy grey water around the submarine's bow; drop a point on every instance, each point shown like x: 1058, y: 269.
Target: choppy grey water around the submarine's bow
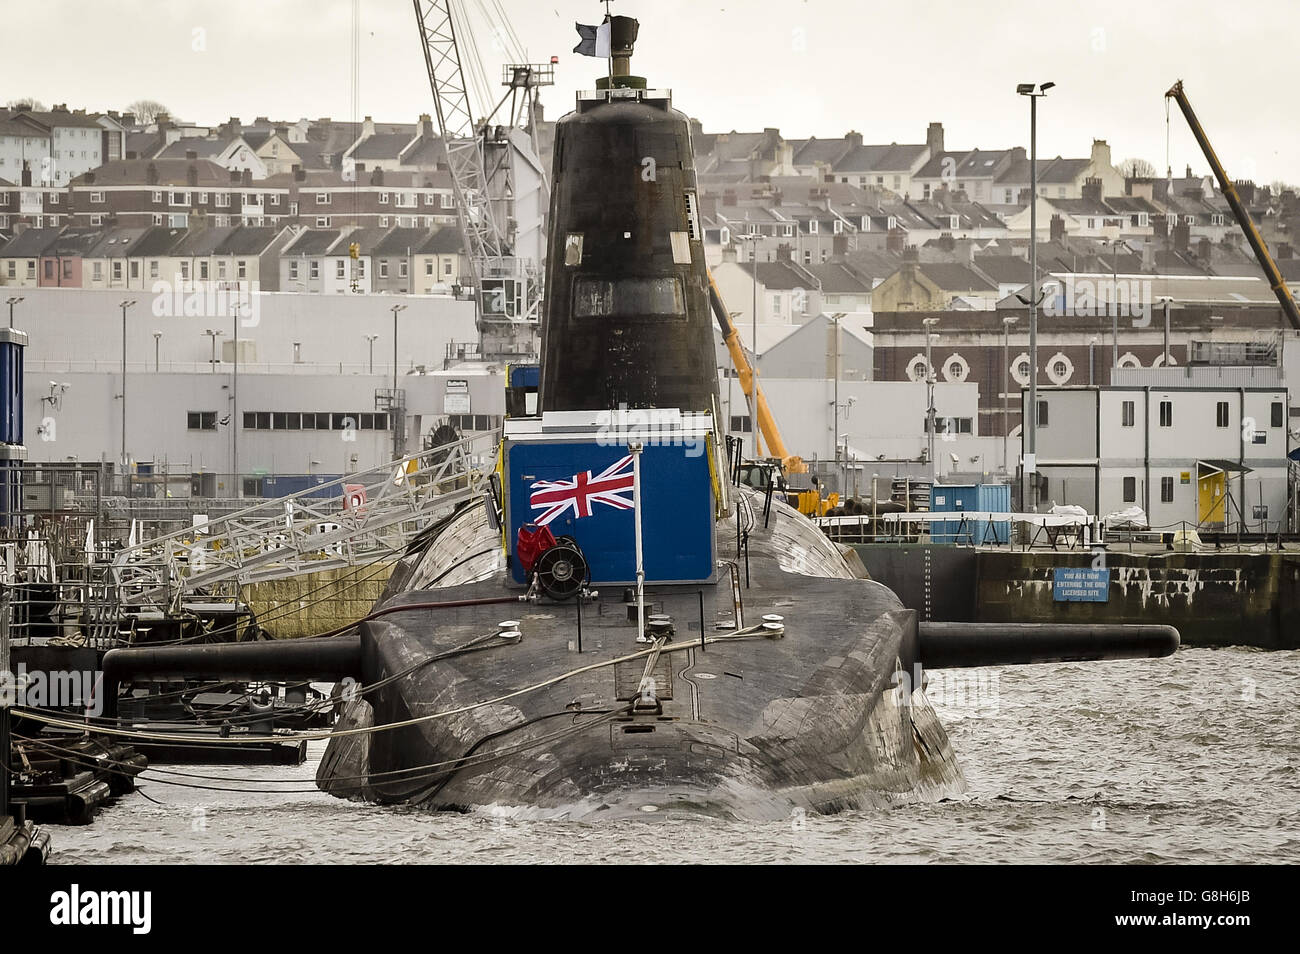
x: 1186, y: 760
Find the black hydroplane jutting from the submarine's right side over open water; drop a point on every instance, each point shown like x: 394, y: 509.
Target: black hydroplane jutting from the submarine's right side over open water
x: 959, y: 645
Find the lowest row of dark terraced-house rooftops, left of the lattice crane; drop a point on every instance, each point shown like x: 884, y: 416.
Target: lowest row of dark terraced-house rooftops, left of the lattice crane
x: 233, y: 241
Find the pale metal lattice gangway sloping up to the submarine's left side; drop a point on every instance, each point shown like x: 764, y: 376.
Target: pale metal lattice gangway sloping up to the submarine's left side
x: 354, y: 521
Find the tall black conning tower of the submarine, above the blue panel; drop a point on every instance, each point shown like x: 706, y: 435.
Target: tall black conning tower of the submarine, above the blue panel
x: 627, y: 319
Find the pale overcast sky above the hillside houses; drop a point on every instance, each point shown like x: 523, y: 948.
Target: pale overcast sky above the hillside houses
x: 807, y: 67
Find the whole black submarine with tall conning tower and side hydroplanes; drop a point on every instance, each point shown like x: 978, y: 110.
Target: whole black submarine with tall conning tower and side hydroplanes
x: 621, y: 626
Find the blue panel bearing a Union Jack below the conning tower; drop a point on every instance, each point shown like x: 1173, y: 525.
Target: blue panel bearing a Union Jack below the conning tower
x: 677, y: 521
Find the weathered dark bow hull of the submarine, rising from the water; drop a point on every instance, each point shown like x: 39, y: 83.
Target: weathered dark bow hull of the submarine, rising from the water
x: 743, y: 727
